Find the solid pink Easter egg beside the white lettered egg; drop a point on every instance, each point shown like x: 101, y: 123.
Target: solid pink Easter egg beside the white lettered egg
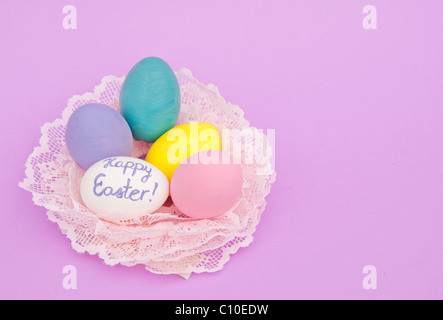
x: 207, y: 184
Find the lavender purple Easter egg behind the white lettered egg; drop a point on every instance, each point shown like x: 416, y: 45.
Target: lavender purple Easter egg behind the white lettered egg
x: 96, y: 131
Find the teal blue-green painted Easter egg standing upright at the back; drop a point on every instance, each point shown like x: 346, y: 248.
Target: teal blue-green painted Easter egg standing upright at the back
x: 150, y: 99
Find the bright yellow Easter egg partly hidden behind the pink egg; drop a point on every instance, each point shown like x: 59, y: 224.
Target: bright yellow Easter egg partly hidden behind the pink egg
x: 181, y: 142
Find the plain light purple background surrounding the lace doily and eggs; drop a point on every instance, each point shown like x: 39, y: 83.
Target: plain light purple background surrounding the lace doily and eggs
x: 358, y: 118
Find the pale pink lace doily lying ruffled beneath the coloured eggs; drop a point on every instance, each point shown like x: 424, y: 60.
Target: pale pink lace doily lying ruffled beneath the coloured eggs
x: 166, y: 242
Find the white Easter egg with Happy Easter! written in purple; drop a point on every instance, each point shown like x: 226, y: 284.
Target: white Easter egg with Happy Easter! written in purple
x: 123, y: 186
